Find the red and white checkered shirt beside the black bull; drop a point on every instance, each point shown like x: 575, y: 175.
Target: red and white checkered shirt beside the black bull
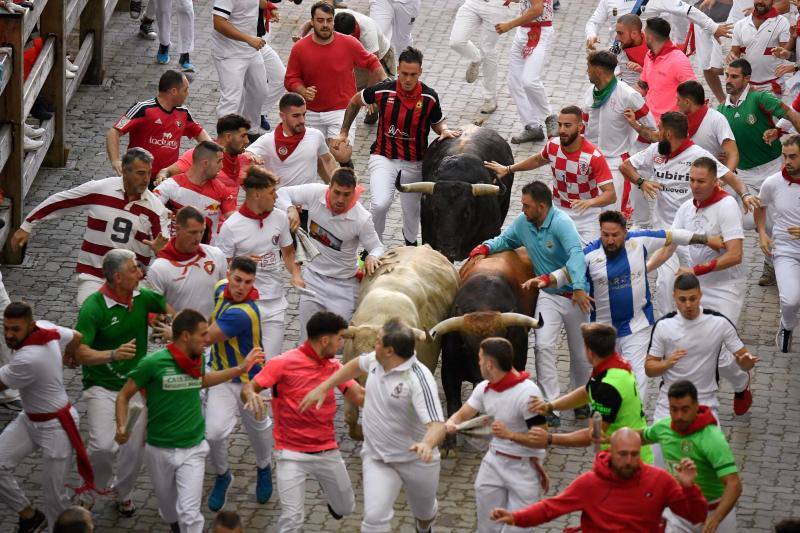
x: 576, y: 175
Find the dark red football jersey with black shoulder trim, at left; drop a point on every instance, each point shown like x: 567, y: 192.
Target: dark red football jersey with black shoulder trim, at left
x: 157, y: 130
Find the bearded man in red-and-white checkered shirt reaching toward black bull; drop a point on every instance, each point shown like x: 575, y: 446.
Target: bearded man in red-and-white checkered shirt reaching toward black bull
x: 582, y: 181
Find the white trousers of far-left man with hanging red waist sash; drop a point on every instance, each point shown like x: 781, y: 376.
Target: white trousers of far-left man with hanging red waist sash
x: 22, y: 438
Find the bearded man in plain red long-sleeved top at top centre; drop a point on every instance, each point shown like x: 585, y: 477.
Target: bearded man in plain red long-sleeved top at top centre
x: 320, y: 69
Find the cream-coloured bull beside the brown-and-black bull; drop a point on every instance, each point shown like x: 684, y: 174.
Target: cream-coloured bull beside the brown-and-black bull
x: 417, y: 284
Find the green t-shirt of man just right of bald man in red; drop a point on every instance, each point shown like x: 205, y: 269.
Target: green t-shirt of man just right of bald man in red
x: 707, y: 448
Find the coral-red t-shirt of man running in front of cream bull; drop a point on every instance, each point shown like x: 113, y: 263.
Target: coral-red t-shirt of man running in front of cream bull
x: 292, y: 375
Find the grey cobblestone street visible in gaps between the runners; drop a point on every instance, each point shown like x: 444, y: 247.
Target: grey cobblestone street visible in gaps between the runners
x: 765, y: 441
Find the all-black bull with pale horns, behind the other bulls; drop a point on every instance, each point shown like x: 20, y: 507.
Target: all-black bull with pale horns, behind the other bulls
x: 463, y: 203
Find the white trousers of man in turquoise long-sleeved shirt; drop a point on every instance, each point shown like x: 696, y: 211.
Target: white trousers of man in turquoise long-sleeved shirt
x: 557, y: 312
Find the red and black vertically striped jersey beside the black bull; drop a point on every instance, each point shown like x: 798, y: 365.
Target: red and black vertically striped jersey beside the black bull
x: 405, y: 119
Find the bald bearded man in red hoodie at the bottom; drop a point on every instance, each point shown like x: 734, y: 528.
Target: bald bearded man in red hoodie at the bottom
x: 641, y: 493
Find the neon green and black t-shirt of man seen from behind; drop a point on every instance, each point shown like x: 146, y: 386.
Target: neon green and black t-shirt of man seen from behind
x: 615, y: 396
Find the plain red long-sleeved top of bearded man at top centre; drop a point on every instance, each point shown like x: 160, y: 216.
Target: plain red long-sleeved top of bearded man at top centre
x: 329, y: 68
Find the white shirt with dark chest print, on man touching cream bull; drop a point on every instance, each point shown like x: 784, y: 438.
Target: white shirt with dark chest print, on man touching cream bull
x: 337, y: 236
